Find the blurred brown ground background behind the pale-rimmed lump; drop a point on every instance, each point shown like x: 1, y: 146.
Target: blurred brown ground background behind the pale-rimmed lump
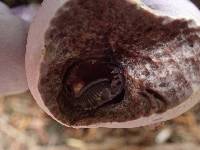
x: 24, y: 126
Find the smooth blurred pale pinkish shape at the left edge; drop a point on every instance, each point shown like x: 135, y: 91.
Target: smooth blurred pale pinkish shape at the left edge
x: 12, y: 52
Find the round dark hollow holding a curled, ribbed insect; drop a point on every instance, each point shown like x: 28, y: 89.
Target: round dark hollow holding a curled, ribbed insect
x: 103, y: 87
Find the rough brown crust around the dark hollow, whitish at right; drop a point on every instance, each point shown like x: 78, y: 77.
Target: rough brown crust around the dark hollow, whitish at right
x: 107, y: 30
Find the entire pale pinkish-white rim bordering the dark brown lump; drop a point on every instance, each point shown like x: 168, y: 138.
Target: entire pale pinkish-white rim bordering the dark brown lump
x: 35, y: 54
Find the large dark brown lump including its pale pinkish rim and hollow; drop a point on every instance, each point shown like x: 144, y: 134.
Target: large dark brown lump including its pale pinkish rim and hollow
x: 114, y: 63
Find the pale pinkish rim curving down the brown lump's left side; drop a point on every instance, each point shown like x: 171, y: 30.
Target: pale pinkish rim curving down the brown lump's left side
x: 35, y: 44
